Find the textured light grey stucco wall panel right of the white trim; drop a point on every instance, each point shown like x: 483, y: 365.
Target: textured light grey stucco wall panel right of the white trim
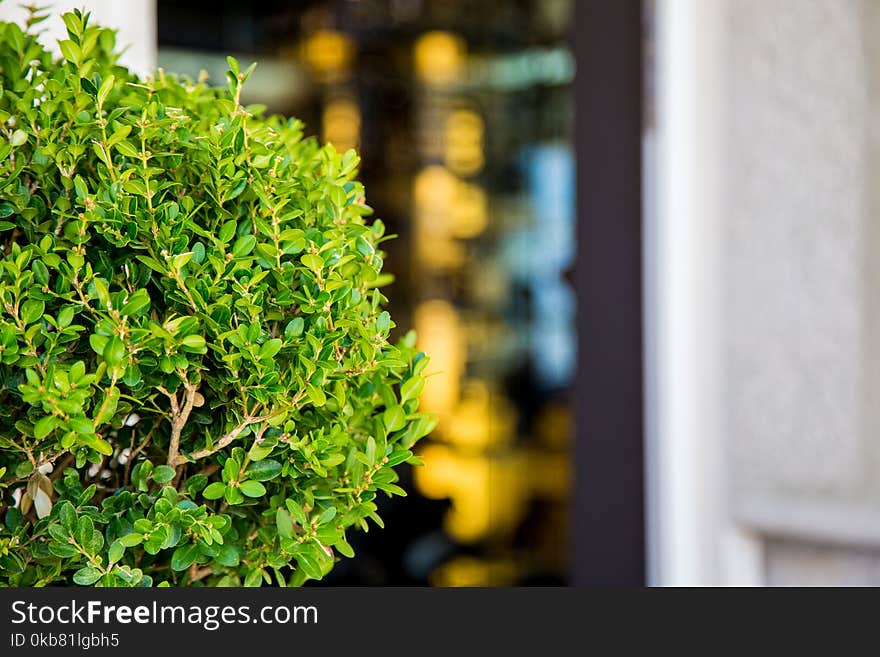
x: 802, y: 279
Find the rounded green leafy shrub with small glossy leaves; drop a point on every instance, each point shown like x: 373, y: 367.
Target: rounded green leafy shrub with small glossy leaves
x: 196, y: 382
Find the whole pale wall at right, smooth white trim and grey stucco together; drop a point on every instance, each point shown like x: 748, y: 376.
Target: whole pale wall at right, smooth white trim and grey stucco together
x: 762, y: 283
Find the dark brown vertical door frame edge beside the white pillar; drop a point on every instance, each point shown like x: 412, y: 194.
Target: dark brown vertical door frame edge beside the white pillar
x: 609, y: 506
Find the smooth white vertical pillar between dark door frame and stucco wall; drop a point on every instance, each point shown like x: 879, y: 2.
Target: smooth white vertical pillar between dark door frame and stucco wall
x: 691, y: 541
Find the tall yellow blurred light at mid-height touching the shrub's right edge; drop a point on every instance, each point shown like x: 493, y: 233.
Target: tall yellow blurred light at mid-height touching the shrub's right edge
x: 437, y: 325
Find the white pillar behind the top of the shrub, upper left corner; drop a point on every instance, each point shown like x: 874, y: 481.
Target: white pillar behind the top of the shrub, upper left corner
x: 135, y: 21
